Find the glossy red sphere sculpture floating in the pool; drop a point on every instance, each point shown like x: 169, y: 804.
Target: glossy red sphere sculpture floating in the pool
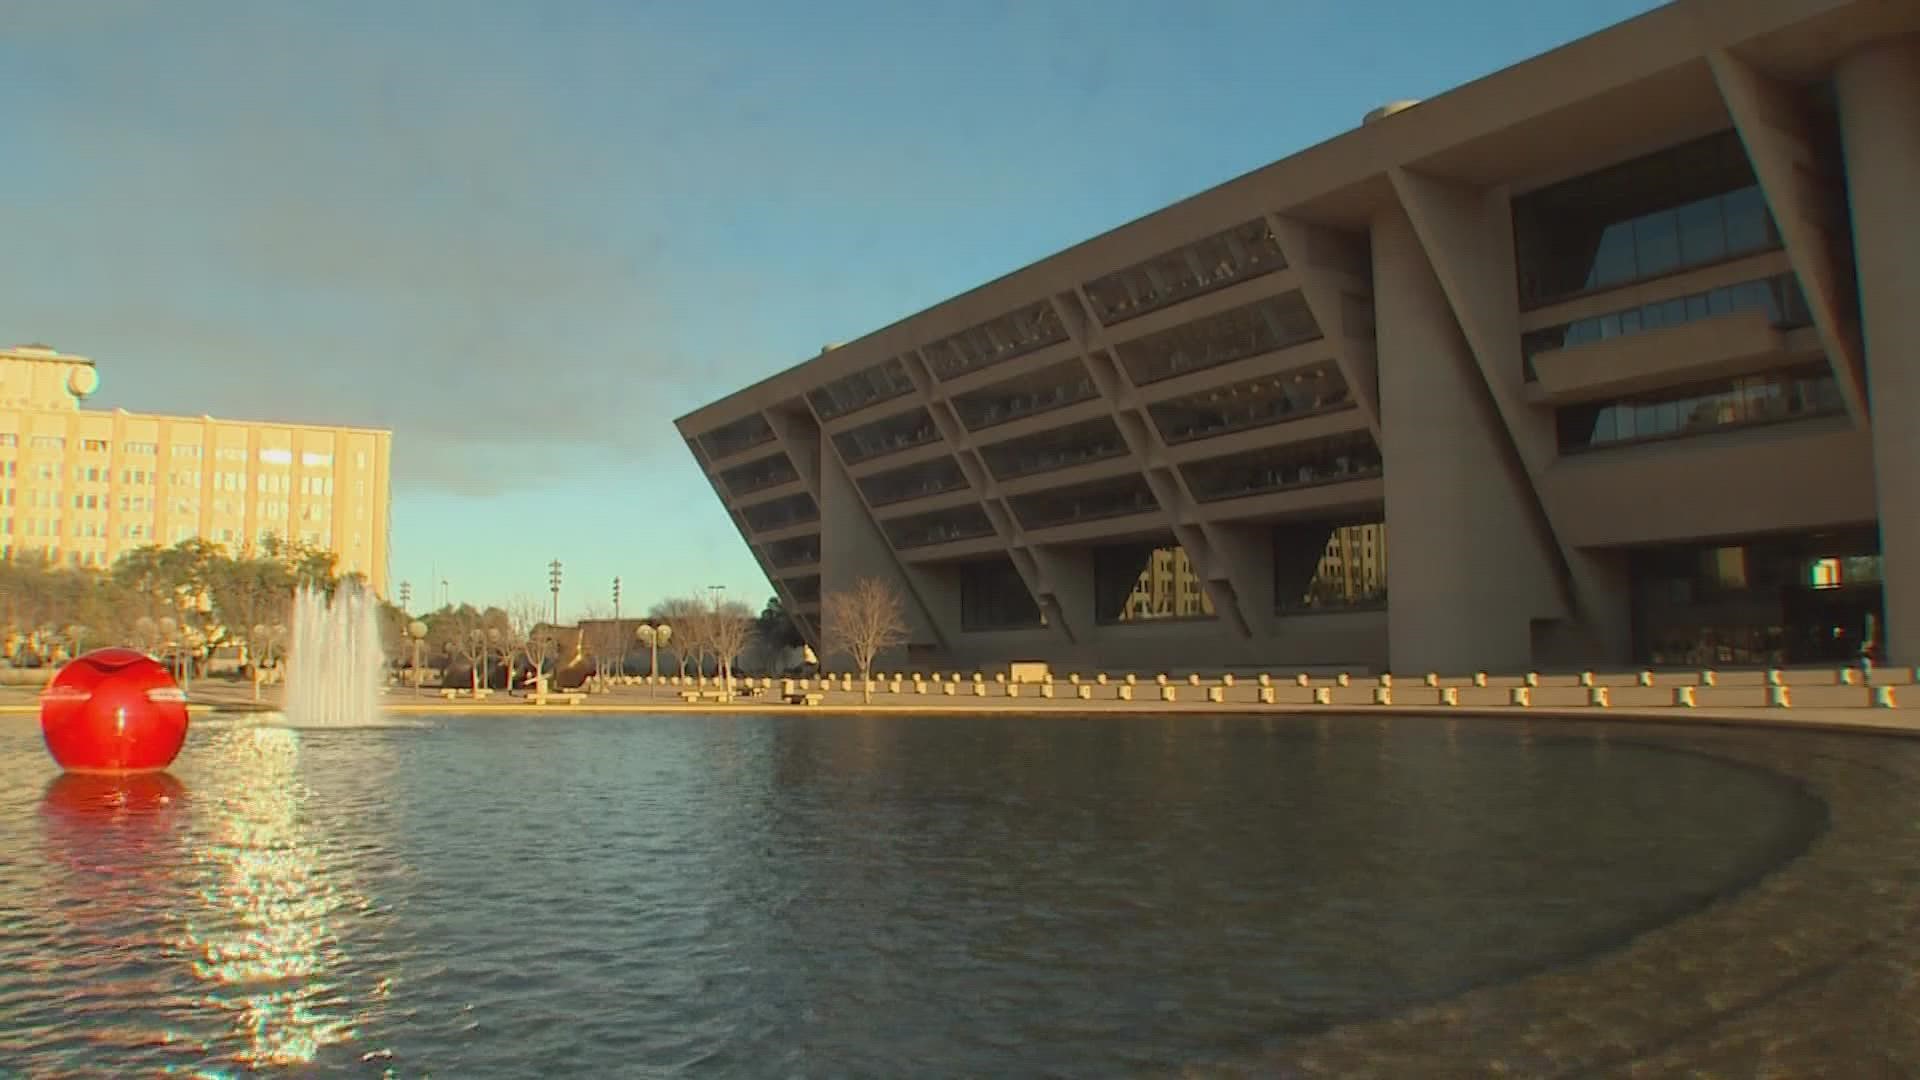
x: 114, y: 712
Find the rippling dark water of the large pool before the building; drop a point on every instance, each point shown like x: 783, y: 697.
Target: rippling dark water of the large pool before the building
x: 813, y: 895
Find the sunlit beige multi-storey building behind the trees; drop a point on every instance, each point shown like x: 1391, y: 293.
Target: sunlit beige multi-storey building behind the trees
x: 85, y: 485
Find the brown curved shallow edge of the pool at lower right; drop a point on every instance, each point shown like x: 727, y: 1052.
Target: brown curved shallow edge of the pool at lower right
x: 1773, y: 979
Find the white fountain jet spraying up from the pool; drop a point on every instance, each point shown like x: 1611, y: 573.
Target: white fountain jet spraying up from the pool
x: 337, y: 662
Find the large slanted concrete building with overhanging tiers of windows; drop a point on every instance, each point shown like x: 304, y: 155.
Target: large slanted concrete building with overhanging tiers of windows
x: 1620, y: 345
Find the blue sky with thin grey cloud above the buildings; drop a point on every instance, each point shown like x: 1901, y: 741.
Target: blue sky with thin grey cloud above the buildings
x: 527, y: 235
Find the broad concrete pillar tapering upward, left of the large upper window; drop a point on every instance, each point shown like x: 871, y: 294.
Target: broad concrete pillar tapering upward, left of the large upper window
x: 1454, y: 495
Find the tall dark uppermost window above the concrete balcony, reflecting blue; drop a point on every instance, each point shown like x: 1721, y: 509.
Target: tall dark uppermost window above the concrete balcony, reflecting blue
x: 1685, y: 207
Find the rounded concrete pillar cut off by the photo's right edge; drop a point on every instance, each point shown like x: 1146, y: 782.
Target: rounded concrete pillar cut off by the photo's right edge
x: 1881, y: 132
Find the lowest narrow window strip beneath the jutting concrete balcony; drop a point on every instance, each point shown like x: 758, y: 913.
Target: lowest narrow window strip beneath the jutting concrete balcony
x: 1702, y: 408
